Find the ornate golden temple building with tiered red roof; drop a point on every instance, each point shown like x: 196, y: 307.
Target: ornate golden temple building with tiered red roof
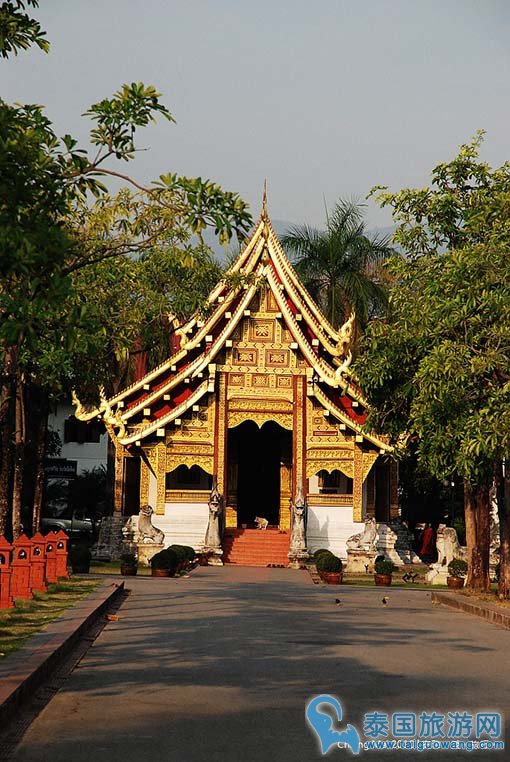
x: 257, y: 394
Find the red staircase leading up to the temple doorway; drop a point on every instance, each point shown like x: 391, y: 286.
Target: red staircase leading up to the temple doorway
x: 256, y: 547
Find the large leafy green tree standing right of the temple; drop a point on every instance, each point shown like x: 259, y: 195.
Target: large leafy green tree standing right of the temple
x: 437, y: 370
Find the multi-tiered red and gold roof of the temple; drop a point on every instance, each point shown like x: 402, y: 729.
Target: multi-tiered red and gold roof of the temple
x: 165, y: 394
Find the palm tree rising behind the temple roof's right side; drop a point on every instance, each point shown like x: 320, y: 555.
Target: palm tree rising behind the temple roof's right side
x: 340, y: 266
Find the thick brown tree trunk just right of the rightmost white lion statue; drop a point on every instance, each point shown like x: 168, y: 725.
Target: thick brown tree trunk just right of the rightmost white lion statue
x: 477, y: 517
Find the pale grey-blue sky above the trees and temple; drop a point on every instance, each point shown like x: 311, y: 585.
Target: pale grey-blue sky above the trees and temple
x: 325, y: 99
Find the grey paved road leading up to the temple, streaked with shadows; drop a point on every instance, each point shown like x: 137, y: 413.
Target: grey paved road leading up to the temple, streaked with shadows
x: 218, y: 667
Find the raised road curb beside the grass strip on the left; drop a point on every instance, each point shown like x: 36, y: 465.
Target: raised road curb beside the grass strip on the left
x: 27, y: 668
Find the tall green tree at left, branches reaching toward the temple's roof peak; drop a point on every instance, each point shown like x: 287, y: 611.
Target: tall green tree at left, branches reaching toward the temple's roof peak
x: 45, y: 186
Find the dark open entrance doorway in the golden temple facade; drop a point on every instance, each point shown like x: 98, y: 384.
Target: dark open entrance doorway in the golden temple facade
x: 257, y: 458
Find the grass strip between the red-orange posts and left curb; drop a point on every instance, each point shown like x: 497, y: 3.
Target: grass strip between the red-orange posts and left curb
x: 30, y: 616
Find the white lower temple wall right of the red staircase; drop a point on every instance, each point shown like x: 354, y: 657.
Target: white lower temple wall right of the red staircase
x: 330, y: 527
